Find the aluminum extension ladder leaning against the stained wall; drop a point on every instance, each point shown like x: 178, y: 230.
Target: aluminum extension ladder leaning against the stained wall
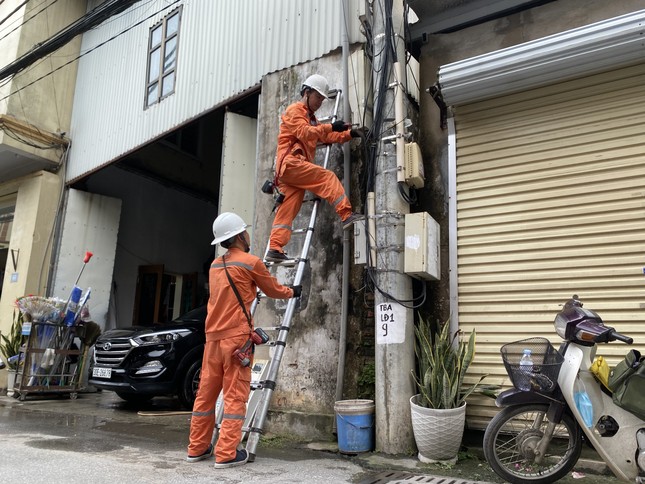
x: 262, y: 390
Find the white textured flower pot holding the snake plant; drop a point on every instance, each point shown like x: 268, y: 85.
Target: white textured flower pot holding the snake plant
x: 437, y: 432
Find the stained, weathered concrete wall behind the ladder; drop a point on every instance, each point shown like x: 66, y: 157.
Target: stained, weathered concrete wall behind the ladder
x: 304, y: 398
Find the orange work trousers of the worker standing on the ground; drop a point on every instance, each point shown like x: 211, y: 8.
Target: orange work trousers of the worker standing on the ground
x: 220, y: 371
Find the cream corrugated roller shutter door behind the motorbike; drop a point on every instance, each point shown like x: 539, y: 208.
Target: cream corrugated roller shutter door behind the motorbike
x: 551, y: 202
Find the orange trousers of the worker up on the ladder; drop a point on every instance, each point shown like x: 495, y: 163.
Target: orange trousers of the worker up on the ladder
x: 298, y: 175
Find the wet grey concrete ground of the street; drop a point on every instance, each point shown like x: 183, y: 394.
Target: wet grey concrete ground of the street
x: 99, y: 438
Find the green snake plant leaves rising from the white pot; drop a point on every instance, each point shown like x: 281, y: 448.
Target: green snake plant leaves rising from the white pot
x: 443, y: 360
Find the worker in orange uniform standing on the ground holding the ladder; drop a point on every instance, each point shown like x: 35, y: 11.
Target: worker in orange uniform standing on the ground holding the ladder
x: 228, y: 326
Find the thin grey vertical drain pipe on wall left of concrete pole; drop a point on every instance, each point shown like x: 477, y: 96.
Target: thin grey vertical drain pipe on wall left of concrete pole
x: 342, y: 339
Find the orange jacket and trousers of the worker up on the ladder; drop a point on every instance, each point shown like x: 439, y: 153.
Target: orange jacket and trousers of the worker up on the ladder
x: 299, y: 135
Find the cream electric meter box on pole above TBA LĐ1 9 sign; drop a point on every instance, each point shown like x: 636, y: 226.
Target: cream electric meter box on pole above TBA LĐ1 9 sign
x: 421, y: 253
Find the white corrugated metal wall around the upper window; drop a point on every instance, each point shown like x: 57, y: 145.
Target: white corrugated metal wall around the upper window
x: 224, y: 49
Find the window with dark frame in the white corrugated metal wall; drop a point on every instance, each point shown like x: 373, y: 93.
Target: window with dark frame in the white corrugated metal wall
x: 162, y: 58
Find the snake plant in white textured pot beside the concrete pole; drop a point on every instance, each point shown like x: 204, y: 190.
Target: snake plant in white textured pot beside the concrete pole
x: 439, y: 409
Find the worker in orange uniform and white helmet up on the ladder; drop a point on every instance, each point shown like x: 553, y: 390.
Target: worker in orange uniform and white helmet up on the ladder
x: 295, y: 171
